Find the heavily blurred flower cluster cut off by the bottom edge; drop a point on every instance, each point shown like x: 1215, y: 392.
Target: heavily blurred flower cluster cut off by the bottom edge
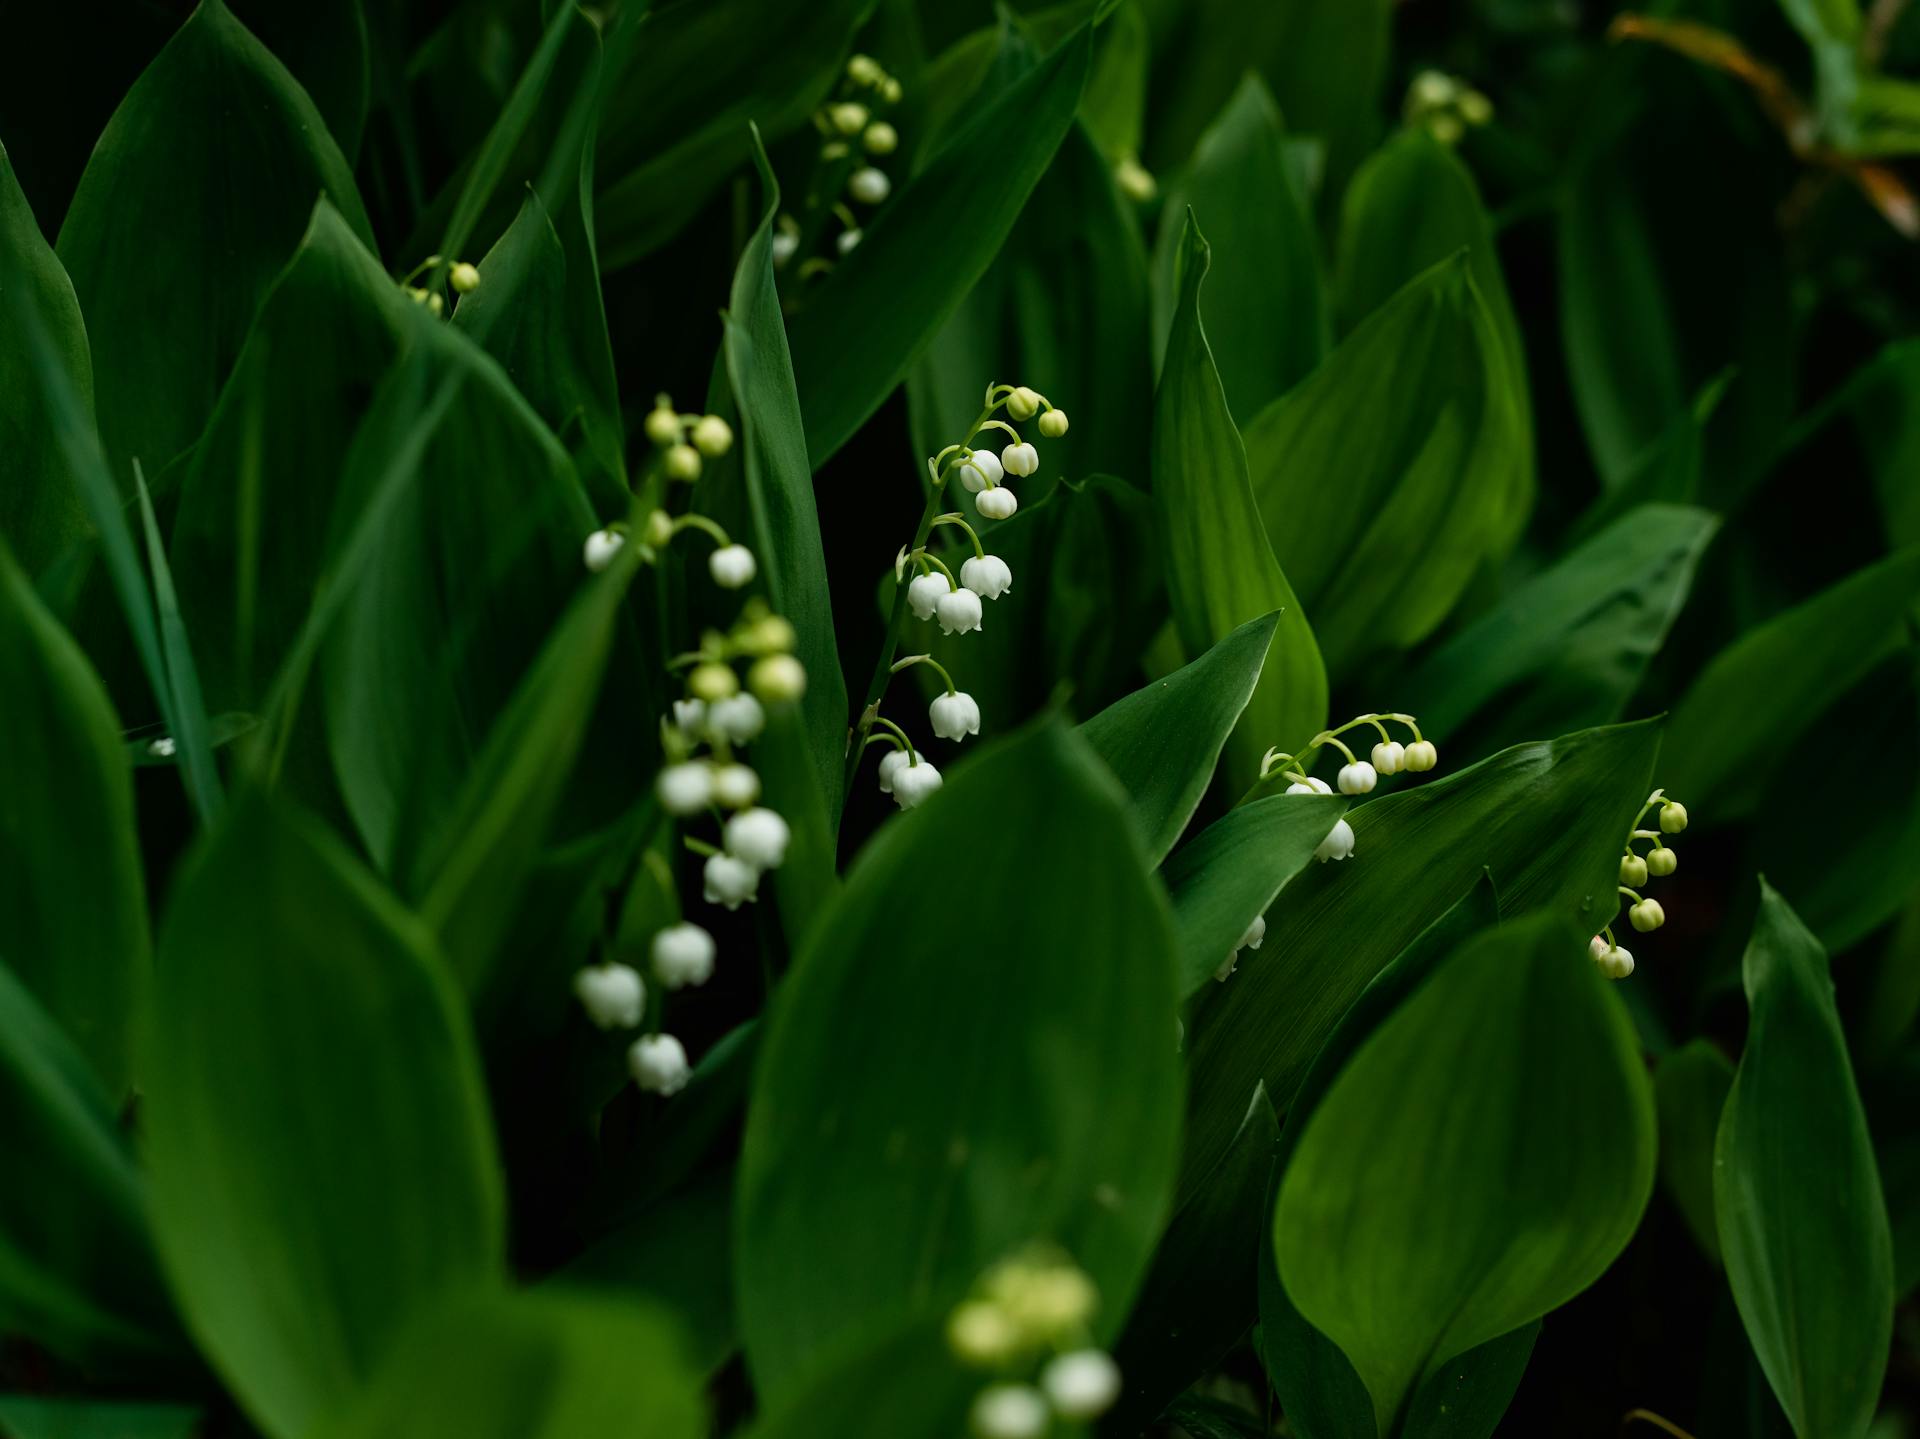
x: 1028, y: 1323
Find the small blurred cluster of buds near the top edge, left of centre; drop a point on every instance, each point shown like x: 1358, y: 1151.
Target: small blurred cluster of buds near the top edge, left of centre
x: 853, y: 141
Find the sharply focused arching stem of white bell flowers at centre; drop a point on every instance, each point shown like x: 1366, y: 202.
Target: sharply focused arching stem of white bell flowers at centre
x: 934, y: 593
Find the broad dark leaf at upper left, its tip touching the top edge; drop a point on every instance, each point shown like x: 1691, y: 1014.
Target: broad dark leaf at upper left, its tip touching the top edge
x: 193, y: 203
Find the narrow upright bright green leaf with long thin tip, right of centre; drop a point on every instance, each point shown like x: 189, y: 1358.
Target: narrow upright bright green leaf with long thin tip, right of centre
x: 1220, y: 568
